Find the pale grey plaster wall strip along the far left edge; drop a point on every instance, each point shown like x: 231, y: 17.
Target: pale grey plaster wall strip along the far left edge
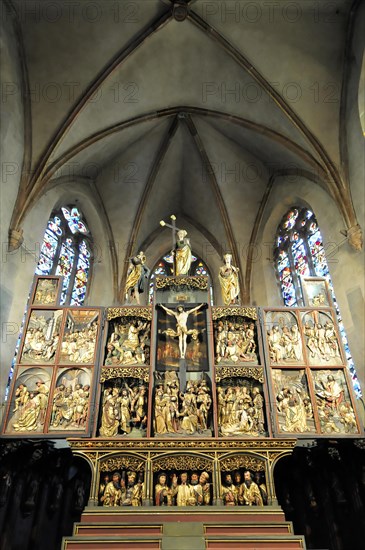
x: 11, y: 153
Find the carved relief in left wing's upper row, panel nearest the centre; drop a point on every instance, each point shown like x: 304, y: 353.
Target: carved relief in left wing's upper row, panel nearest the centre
x: 78, y: 346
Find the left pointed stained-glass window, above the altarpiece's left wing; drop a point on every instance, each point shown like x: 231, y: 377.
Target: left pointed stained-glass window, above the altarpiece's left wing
x: 66, y: 251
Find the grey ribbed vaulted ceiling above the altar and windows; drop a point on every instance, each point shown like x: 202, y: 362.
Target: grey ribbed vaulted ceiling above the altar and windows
x: 189, y: 107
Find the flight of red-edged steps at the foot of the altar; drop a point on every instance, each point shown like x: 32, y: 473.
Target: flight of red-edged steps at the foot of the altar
x: 200, y: 528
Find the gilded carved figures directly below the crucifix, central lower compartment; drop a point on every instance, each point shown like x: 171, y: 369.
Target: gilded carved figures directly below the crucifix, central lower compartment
x: 182, y: 413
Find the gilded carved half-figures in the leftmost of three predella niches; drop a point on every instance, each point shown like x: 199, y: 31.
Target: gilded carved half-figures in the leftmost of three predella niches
x: 121, y: 491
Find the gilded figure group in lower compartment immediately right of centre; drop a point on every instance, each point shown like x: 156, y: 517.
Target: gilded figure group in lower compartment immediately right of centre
x: 240, y: 412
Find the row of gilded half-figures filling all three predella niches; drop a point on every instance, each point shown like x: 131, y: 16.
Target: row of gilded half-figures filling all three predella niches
x: 184, y: 489
